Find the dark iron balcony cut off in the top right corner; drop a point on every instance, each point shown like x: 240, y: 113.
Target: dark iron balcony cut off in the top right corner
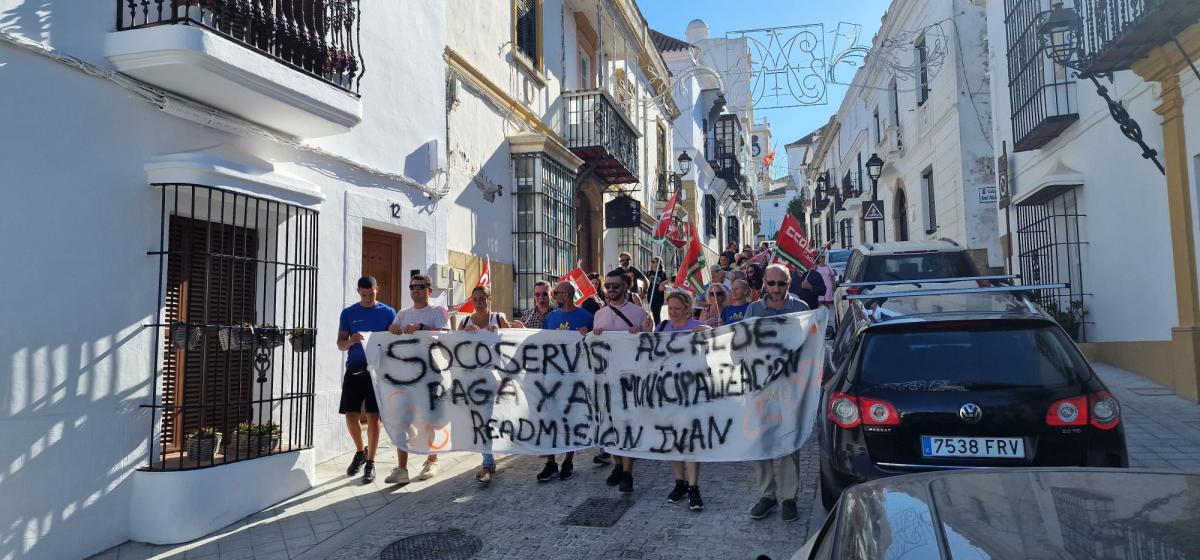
x: 1118, y: 34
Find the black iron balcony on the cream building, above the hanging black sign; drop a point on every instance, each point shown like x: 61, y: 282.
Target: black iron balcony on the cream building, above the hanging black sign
x: 601, y: 135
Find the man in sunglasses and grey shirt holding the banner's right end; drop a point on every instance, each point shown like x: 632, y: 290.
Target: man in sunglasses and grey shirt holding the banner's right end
x: 777, y: 302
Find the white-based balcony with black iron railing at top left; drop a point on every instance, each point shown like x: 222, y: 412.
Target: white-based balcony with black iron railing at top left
x: 289, y: 65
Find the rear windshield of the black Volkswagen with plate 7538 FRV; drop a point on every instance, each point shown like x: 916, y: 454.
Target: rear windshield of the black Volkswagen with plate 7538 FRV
x: 953, y: 358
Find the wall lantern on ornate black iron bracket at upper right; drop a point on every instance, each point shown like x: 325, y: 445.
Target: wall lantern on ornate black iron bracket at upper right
x: 1061, y: 35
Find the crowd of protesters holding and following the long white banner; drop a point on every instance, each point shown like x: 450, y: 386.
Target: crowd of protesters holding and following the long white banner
x: 741, y: 286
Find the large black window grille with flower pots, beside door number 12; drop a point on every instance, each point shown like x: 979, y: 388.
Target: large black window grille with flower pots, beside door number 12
x: 238, y: 284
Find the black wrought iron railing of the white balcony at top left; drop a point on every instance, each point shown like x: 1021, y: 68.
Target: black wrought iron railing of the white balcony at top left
x: 319, y: 38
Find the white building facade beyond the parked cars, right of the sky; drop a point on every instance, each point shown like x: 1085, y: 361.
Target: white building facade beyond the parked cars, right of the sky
x: 922, y: 104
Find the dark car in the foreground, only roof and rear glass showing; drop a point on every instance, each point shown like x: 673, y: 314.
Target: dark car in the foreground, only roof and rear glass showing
x: 1016, y: 514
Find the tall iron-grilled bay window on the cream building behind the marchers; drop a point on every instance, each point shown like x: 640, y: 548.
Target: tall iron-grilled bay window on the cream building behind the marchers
x: 543, y: 225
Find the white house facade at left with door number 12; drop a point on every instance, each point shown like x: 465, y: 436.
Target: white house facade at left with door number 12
x: 203, y: 174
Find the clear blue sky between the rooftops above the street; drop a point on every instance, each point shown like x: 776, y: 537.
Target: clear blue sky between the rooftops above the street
x: 788, y: 125
